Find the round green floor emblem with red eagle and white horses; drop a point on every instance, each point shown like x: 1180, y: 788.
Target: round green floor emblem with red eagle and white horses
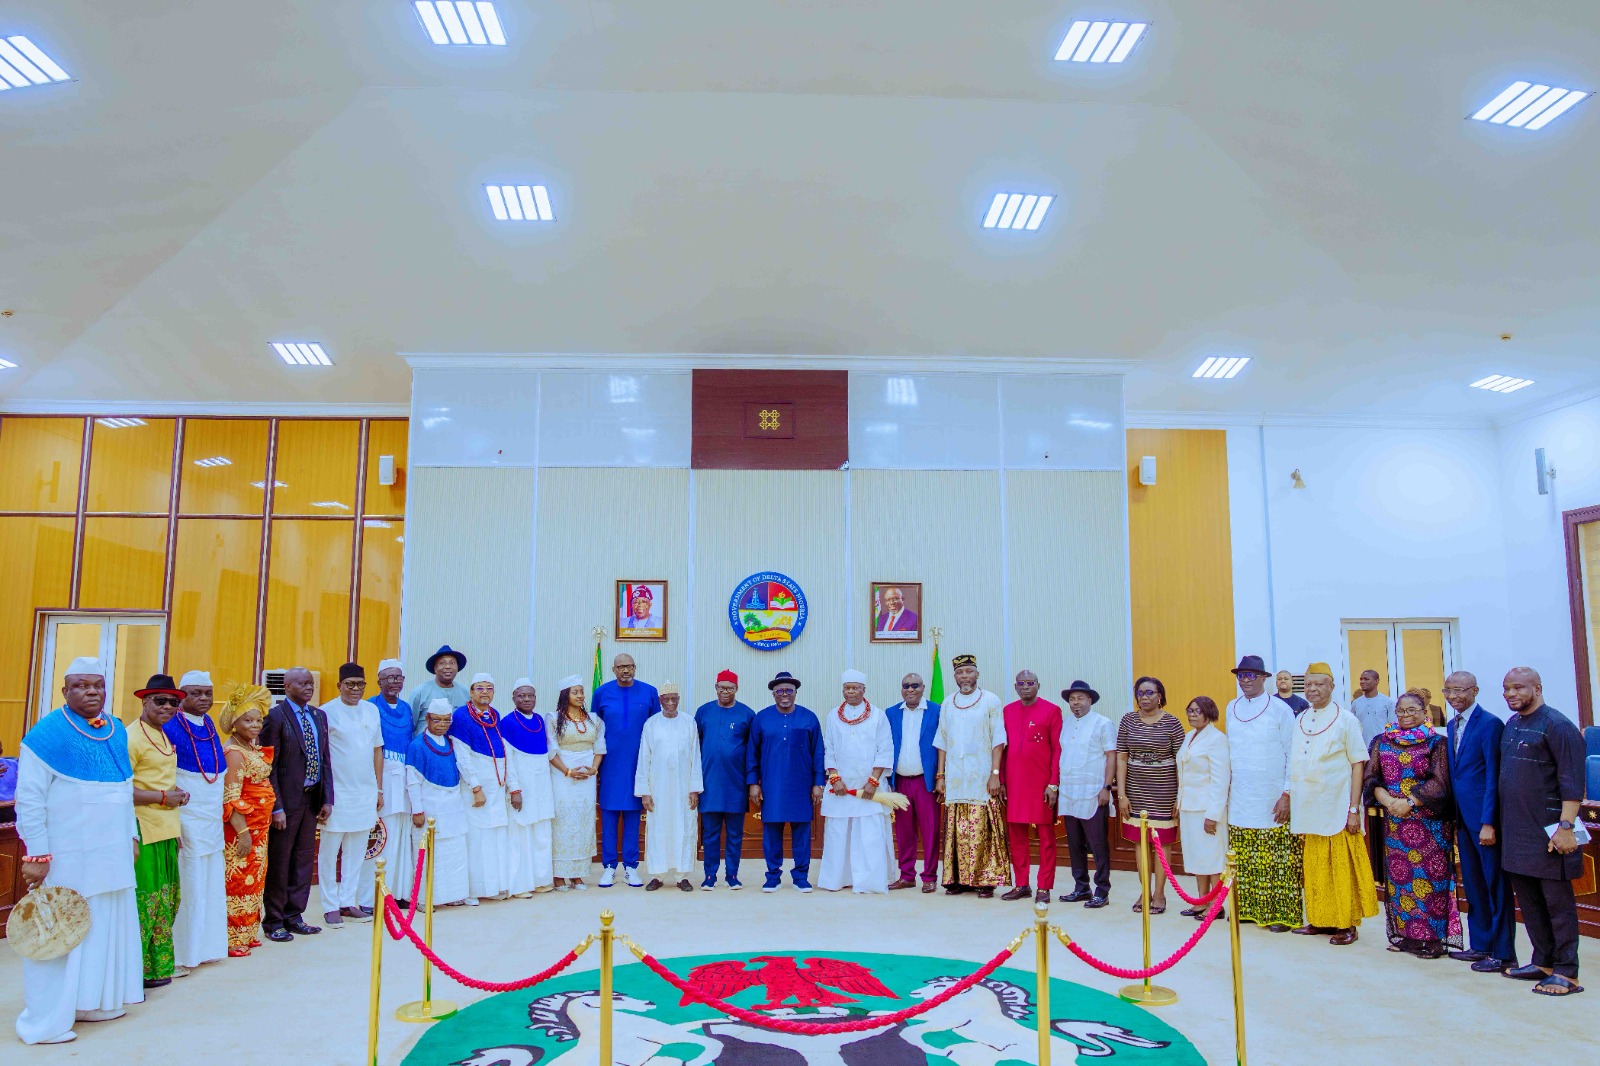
x: 988, y: 1025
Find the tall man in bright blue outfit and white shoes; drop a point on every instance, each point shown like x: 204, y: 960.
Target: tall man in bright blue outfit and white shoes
x: 623, y: 705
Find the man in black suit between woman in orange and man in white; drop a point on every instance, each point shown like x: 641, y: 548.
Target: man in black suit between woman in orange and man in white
x: 303, y: 780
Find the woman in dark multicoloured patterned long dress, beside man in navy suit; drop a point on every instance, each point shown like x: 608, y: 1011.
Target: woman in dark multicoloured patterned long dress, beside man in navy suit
x: 1409, y: 775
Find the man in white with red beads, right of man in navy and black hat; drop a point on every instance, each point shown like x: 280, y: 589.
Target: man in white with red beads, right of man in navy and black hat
x: 858, y: 838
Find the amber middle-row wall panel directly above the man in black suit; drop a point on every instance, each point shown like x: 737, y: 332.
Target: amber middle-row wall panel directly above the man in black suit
x: 310, y: 598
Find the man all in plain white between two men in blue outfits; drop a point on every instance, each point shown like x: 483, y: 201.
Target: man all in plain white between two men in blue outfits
x: 668, y: 785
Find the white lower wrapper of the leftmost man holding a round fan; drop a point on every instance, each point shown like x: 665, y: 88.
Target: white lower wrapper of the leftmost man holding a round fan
x: 106, y: 972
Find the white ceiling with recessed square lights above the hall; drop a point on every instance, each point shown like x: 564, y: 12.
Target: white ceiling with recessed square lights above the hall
x: 1295, y: 183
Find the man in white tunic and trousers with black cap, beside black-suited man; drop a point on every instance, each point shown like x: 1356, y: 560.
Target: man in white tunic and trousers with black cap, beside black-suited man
x: 356, y: 751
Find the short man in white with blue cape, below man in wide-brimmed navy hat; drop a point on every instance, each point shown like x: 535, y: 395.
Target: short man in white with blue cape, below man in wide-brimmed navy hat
x: 433, y: 774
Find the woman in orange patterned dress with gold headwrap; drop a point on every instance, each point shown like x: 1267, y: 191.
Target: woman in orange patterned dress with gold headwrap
x: 247, y: 814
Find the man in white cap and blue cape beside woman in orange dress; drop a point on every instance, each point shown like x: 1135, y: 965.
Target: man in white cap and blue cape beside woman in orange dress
x: 201, y: 928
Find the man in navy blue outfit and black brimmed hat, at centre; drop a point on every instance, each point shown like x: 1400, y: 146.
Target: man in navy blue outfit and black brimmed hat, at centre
x: 786, y: 771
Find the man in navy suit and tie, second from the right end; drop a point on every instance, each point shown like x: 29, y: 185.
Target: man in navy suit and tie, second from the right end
x: 1474, y: 774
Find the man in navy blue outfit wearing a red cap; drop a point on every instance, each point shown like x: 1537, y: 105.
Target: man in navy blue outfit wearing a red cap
x: 726, y: 742
